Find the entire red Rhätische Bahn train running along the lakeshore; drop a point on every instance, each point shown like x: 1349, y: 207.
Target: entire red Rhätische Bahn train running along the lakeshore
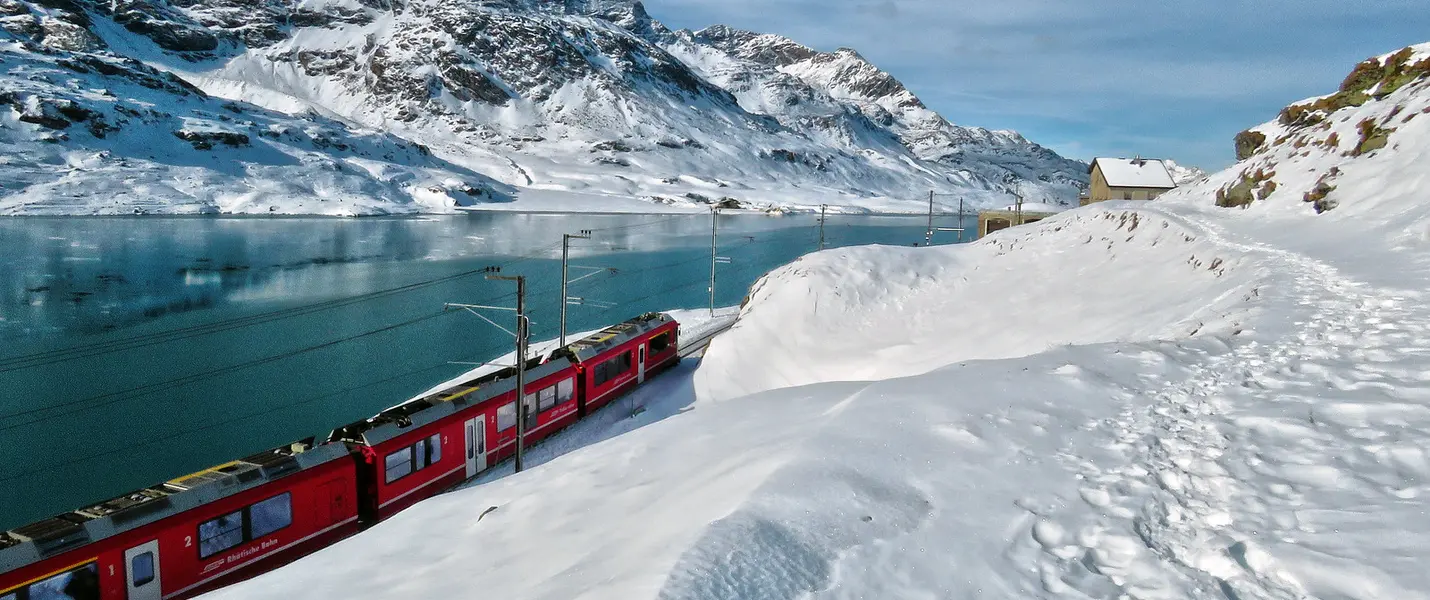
x: 244, y: 518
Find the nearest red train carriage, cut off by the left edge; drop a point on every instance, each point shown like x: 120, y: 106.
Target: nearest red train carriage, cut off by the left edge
x: 189, y: 535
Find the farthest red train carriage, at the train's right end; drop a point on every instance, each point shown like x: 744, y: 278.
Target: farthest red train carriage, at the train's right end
x: 620, y: 358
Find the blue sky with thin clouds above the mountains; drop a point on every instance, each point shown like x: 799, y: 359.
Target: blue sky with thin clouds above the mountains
x: 1095, y: 78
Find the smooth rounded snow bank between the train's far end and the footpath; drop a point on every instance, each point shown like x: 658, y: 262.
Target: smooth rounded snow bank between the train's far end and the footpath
x: 1089, y: 276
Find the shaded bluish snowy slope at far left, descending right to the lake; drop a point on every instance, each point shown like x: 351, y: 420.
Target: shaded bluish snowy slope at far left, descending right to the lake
x: 87, y: 132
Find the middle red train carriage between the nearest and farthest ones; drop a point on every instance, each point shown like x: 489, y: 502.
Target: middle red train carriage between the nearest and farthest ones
x: 425, y: 446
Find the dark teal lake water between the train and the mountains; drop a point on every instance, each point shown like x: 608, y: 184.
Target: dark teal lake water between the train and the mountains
x: 118, y: 414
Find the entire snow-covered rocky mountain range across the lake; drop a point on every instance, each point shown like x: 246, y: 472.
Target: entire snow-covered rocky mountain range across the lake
x: 586, y: 98
